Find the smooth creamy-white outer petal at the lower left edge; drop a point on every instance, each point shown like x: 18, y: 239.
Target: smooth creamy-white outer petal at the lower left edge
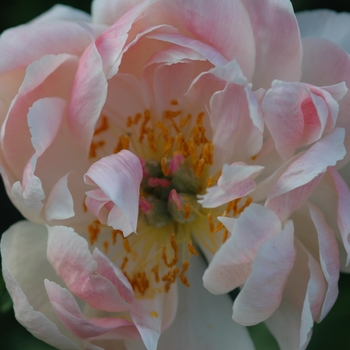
x: 24, y: 267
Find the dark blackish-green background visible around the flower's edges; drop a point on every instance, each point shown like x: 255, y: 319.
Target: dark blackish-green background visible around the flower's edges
x: 332, y: 333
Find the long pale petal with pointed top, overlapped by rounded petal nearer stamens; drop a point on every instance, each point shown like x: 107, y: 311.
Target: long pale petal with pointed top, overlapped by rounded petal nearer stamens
x: 262, y: 292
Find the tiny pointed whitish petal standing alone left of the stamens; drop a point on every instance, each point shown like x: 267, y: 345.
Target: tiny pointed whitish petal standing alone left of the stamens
x: 59, y: 204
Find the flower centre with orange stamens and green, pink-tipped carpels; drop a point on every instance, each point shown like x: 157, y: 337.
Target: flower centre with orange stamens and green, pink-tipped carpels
x: 176, y: 154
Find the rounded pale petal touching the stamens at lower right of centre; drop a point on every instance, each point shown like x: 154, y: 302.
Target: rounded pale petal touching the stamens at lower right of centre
x: 232, y: 264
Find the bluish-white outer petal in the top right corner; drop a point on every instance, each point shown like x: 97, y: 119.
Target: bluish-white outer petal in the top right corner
x: 326, y: 24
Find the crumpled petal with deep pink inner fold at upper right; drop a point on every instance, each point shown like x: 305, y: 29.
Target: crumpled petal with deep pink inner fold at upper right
x: 297, y: 114
